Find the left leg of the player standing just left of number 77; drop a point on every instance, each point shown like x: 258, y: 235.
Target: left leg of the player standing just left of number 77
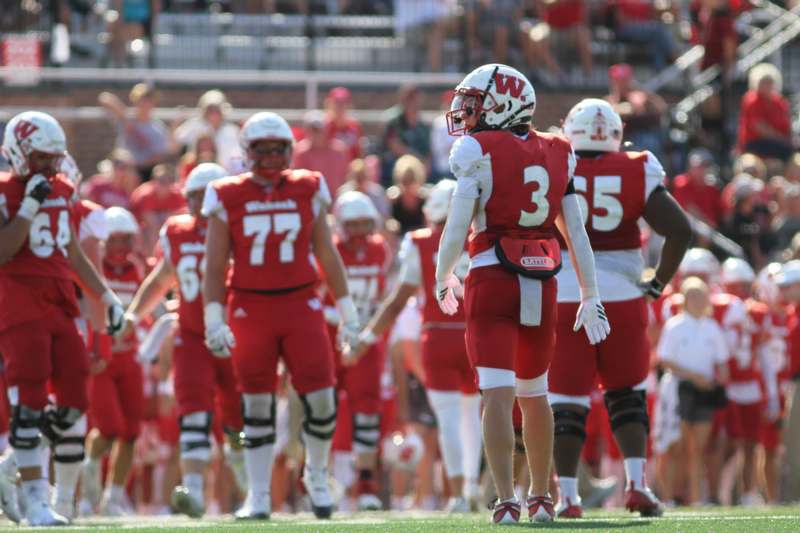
x: 193, y: 375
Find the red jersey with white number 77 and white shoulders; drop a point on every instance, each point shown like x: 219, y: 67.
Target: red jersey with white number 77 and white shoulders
x: 270, y: 228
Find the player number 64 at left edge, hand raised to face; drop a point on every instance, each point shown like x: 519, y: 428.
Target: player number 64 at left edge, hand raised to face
x: 39, y: 259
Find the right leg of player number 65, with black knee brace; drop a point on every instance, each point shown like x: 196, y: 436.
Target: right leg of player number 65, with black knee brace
x: 623, y: 365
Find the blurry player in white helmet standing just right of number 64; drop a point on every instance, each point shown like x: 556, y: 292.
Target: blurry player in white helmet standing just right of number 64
x: 116, y: 393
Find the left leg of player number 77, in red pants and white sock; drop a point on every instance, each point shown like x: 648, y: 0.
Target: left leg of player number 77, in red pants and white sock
x: 255, y: 360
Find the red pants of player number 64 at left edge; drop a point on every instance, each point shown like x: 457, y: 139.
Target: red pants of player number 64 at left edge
x: 46, y: 349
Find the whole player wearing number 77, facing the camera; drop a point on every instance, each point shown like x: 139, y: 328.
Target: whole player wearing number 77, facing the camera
x: 270, y: 223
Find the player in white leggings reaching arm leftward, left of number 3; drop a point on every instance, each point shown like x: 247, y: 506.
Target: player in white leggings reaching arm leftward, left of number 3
x: 449, y: 380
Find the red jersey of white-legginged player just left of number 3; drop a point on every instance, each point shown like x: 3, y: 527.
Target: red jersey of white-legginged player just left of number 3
x: 427, y: 242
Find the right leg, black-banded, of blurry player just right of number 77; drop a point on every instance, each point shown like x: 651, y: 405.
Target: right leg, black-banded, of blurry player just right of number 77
x: 363, y: 386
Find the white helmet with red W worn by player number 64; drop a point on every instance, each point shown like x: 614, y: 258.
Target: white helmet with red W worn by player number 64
x: 28, y: 132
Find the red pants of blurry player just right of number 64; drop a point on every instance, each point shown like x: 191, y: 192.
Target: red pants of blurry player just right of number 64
x: 117, y: 395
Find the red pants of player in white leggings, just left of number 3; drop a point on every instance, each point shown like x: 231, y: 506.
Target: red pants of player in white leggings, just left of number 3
x: 445, y: 361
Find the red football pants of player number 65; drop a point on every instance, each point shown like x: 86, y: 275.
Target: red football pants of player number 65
x: 620, y: 361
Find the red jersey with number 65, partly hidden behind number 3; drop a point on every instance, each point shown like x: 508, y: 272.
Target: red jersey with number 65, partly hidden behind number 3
x: 613, y: 190
